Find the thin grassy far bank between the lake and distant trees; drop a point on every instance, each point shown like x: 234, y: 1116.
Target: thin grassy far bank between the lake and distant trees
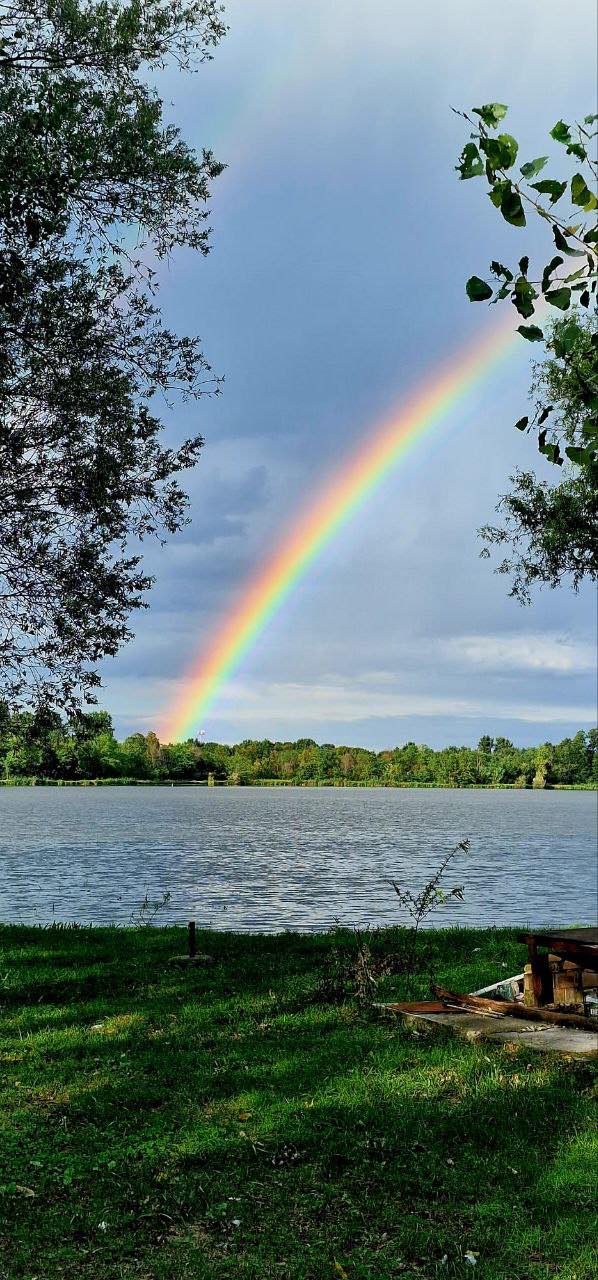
x: 294, y: 783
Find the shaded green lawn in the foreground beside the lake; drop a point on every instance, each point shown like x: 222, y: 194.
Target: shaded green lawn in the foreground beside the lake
x: 249, y: 1121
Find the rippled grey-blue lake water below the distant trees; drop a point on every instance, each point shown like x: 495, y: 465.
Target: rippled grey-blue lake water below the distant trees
x: 270, y: 860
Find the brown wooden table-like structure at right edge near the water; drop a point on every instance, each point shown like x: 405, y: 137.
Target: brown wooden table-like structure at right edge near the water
x: 563, y: 963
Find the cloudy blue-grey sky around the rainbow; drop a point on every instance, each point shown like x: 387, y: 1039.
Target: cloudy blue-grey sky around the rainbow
x: 341, y: 244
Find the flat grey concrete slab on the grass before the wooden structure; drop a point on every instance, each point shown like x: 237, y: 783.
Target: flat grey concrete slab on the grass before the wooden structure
x: 510, y: 1031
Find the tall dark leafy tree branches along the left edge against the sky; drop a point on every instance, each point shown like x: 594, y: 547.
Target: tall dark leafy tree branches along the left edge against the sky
x: 94, y: 186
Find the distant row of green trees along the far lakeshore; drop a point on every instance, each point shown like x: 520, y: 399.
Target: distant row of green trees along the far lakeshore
x: 84, y: 748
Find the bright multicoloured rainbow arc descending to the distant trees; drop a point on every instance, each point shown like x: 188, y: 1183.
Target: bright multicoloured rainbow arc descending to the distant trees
x: 345, y: 492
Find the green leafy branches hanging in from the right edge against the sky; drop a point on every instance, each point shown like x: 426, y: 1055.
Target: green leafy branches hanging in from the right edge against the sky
x: 550, y: 531
